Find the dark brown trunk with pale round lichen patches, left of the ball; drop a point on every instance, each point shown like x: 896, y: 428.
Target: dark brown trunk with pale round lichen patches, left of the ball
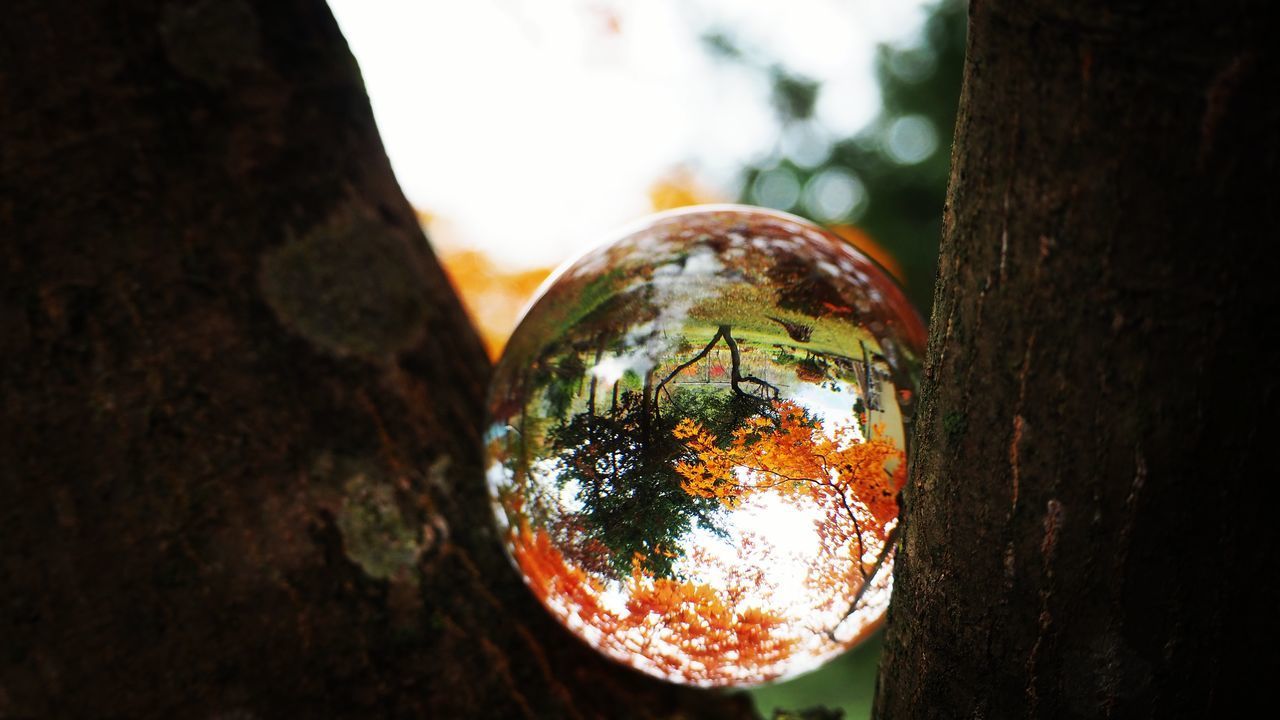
x: 241, y: 404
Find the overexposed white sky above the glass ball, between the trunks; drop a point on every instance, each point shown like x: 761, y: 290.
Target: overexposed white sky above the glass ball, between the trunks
x: 532, y: 127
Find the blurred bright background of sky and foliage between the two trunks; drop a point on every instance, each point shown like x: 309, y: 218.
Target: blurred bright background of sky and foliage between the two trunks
x: 524, y: 131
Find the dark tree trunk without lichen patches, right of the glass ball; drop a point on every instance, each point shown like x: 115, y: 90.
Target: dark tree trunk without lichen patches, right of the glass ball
x: 1087, y: 531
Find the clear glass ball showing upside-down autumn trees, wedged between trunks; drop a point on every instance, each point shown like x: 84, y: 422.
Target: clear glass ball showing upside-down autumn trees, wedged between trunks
x: 698, y: 436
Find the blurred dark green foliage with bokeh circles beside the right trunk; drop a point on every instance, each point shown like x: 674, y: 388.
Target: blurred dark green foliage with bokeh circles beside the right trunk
x: 890, y: 180
